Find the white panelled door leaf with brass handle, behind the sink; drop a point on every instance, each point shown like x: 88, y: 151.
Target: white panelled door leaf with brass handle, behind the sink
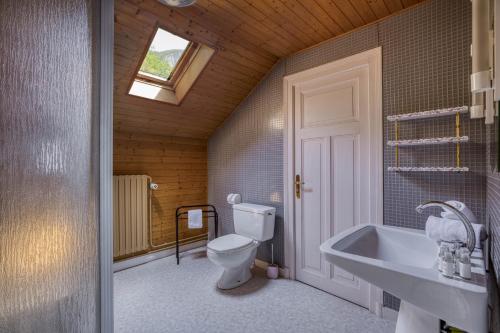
x: 334, y: 164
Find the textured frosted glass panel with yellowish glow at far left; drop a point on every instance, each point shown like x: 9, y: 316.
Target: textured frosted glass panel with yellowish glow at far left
x: 48, y: 227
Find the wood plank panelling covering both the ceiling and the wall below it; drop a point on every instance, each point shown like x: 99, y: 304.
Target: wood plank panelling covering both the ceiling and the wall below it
x: 168, y: 142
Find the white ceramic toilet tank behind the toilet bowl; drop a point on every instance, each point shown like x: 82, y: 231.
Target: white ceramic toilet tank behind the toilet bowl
x: 254, y: 221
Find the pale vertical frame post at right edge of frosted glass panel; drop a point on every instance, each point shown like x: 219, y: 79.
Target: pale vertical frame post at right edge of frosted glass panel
x: 104, y: 23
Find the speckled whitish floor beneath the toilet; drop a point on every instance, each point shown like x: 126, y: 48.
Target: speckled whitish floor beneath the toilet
x: 162, y: 297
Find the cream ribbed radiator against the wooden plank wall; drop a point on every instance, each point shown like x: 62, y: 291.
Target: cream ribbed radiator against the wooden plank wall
x: 130, y: 214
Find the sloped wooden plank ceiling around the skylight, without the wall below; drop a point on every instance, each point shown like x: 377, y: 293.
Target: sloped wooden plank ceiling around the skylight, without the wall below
x: 249, y: 35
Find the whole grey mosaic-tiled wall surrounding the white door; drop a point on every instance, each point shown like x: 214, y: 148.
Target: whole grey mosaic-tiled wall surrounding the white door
x: 426, y: 66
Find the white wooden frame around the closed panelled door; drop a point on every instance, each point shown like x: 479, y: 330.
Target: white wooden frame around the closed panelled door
x: 372, y: 57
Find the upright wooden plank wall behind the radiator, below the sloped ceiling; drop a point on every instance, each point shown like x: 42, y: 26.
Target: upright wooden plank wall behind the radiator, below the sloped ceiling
x: 177, y: 165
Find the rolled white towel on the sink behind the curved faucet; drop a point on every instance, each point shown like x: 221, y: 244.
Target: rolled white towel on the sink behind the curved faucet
x: 448, y: 230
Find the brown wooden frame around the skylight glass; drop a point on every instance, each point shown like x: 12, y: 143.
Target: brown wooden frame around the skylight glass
x: 178, y: 69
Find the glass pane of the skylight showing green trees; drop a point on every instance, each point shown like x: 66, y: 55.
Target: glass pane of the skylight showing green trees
x: 164, y: 53
